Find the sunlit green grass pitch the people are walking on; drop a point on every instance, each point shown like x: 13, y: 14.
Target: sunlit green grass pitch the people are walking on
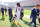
x: 4, y: 22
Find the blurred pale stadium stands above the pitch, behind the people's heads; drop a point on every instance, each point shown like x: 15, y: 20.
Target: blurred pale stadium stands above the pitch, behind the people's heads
x: 27, y: 4
